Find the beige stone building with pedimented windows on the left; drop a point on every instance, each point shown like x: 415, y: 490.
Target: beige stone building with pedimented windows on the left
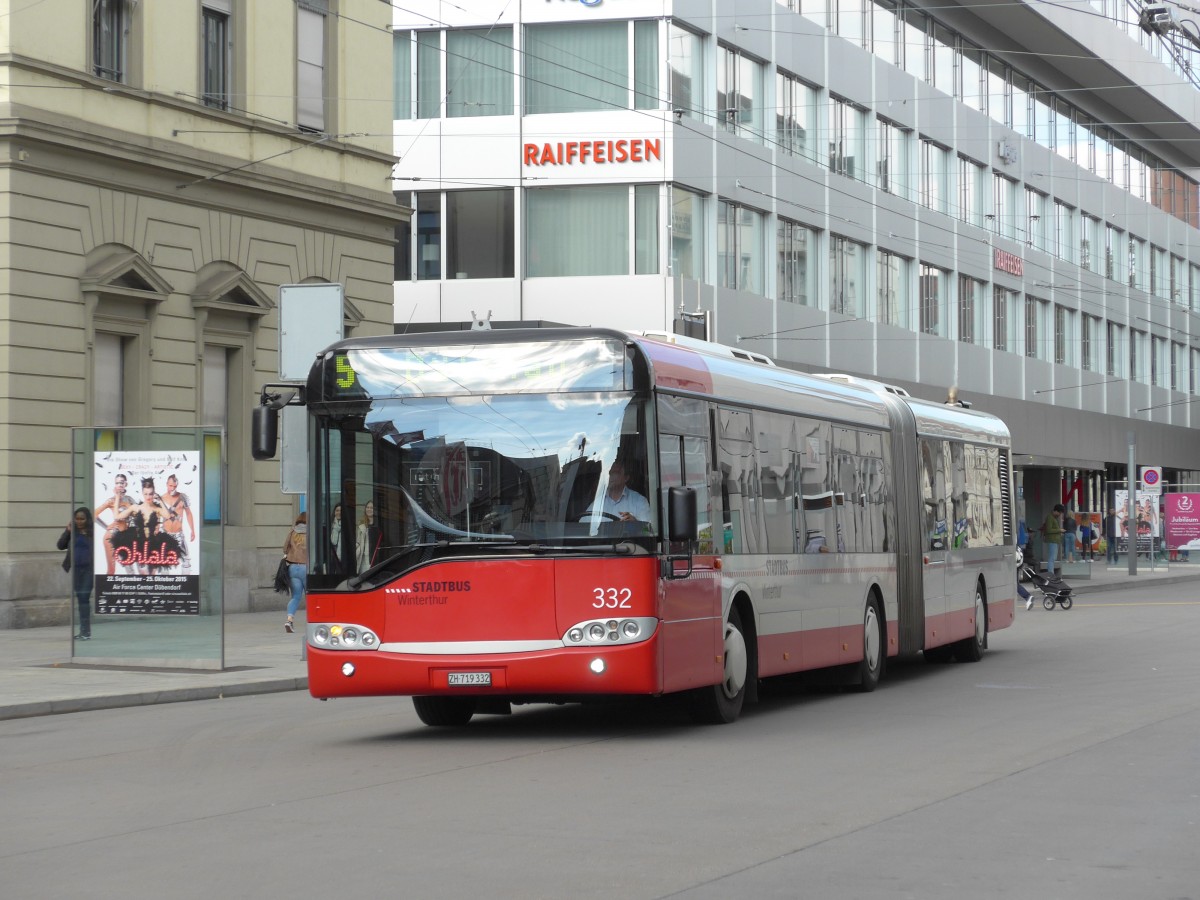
x: 164, y: 170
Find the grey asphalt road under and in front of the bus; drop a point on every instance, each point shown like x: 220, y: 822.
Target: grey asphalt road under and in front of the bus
x: 1065, y: 765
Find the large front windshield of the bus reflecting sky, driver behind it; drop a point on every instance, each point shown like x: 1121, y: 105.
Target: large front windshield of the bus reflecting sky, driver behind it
x: 413, y: 475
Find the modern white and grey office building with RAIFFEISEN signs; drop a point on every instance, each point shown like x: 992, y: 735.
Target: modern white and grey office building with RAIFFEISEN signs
x: 1000, y: 199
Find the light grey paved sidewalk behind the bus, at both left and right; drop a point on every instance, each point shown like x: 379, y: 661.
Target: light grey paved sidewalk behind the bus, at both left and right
x: 38, y: 676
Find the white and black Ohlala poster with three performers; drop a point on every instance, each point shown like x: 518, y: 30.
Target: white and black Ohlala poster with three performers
x: 148, y: 549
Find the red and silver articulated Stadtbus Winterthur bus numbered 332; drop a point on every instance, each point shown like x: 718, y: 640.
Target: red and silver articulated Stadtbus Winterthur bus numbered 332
x: 568, y: 514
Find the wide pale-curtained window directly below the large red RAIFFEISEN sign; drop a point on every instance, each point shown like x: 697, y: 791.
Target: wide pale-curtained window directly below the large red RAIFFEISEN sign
x: 557, y: 247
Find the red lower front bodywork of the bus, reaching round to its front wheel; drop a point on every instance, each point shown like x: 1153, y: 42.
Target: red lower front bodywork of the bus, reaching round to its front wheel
x: 511, y: 620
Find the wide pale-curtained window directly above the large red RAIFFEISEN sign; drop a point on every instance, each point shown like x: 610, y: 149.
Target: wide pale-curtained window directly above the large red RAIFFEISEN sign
x: 580, y: 68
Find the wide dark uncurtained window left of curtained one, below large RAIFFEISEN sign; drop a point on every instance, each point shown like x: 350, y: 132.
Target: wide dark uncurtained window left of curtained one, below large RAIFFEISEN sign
x: 481, y: 235
